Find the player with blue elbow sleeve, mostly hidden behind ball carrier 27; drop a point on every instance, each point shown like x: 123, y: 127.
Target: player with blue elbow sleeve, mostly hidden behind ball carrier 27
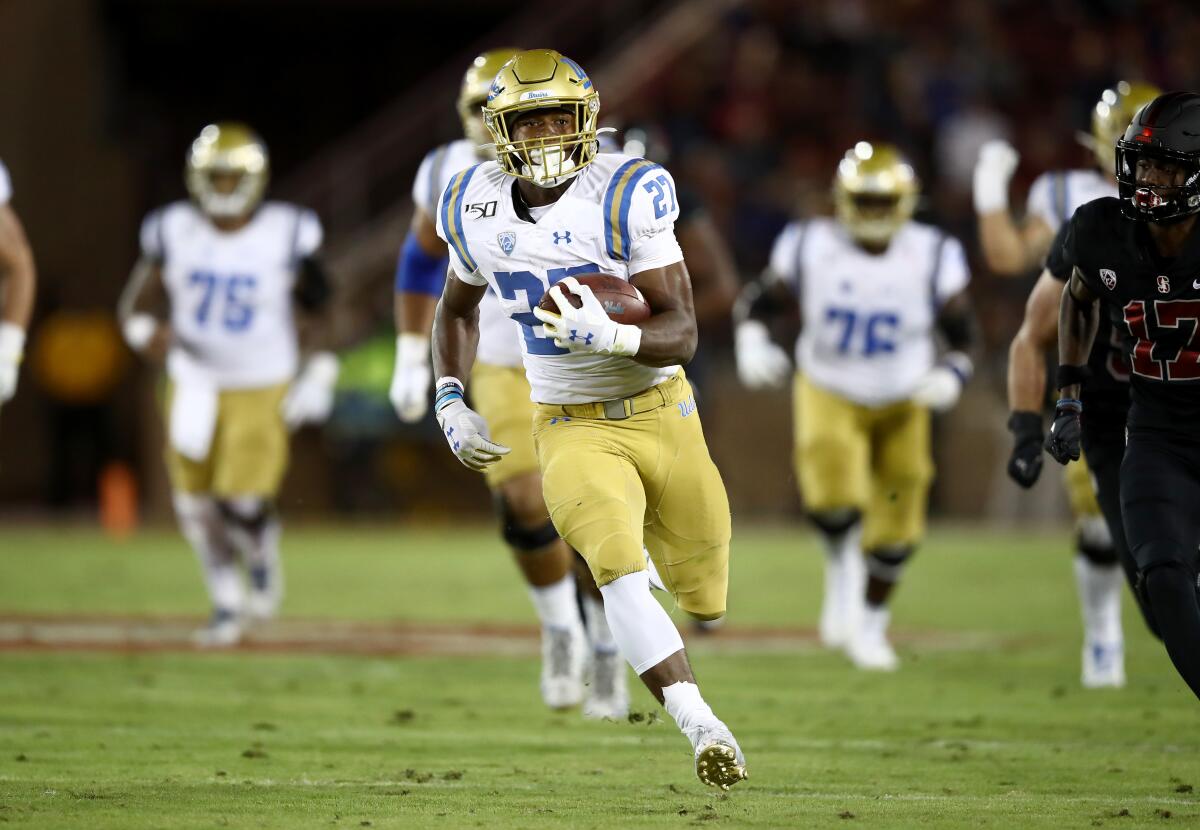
x: 500, y: 393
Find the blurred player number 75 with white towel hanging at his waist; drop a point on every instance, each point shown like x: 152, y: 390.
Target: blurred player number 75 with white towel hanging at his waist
x: 218, y: 291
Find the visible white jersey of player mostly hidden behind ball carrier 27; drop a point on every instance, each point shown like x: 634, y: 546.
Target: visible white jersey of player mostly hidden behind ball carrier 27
x: 500, y: 339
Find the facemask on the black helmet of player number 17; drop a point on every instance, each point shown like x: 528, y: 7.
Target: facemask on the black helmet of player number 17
x: 1145, y: 202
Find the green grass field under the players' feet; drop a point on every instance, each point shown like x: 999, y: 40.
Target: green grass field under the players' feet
x: 986, y: 725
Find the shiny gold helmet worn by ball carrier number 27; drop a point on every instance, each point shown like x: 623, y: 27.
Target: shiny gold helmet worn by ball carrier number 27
x: 543, y: 80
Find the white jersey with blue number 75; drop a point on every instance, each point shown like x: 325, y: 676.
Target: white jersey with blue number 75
x: 231, y: 293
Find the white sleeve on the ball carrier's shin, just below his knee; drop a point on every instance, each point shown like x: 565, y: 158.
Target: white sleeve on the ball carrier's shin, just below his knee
x: 644, y: 633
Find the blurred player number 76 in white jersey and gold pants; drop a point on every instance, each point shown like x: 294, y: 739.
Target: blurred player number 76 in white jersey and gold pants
x: 874, y: 288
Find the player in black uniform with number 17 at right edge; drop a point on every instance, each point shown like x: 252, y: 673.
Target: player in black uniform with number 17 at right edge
x: 1141, y: 256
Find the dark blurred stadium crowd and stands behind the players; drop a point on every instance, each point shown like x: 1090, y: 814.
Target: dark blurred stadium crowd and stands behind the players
x: 752, y: 105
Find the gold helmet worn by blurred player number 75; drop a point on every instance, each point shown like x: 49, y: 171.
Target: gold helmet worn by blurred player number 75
x: 227, y: 170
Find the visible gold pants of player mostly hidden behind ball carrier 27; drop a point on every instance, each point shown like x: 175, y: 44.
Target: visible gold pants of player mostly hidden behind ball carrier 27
x: 501, y: 394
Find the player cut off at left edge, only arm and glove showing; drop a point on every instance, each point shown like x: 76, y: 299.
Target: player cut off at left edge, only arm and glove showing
x: 19, y: 284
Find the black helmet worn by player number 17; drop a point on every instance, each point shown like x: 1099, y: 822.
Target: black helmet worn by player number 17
x: 1166, y: 130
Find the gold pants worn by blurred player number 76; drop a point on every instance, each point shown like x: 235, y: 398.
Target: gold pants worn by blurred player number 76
x: 875, y: 460
